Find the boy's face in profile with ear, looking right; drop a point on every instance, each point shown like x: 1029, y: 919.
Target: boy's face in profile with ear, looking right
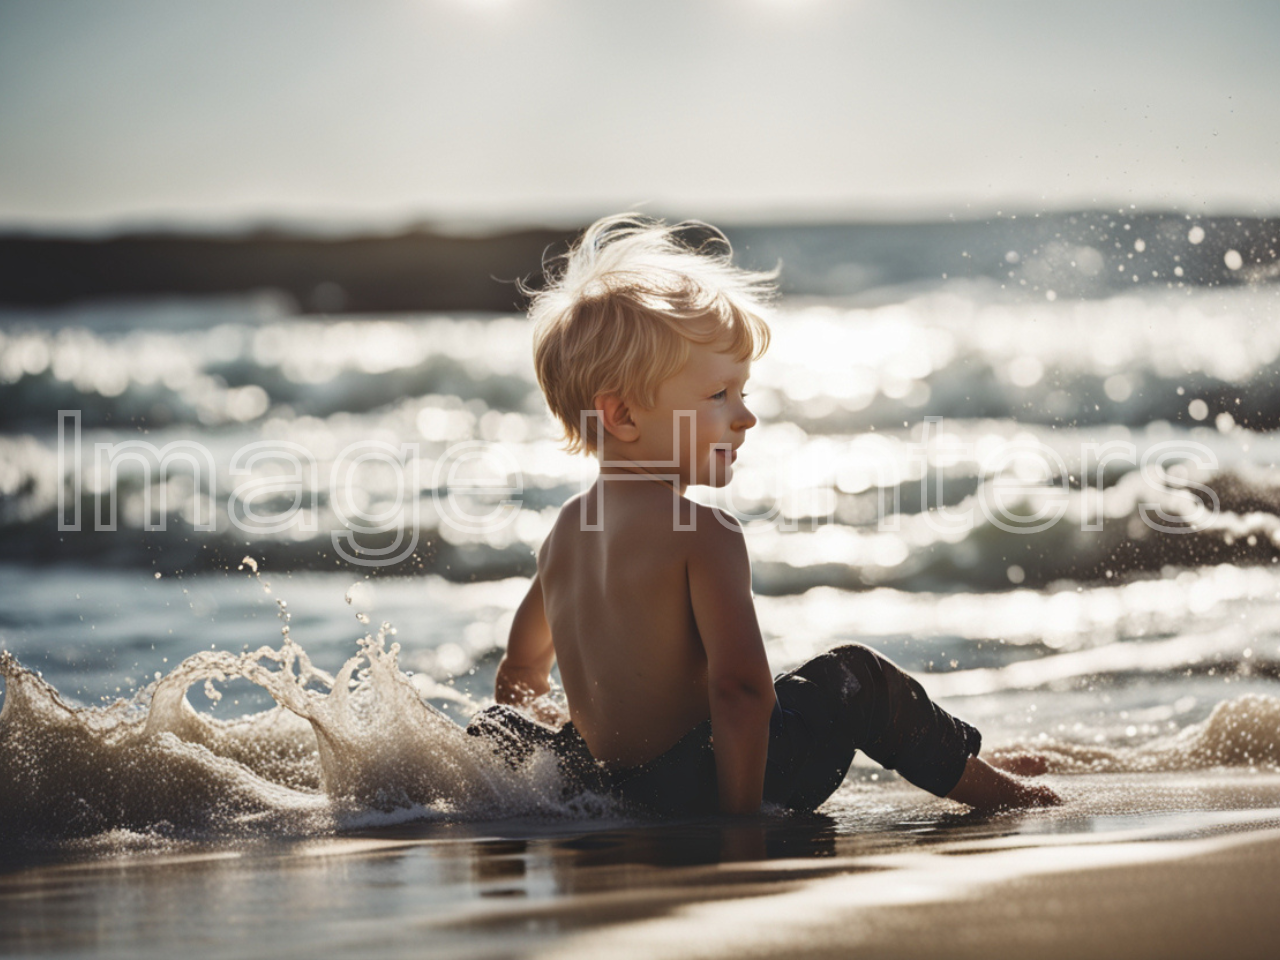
x: 710, y: 391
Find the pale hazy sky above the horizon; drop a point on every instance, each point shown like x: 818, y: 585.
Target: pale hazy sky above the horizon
x: 217, y: 113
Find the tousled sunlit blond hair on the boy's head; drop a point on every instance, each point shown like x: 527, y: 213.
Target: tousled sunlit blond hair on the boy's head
x: 620, y: 310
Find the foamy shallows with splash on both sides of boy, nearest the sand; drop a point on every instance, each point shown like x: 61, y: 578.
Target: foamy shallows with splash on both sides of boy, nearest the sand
x: 314, y: 738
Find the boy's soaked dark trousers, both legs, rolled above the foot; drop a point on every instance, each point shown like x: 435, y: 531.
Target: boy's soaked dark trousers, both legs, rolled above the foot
x: 845, y: 701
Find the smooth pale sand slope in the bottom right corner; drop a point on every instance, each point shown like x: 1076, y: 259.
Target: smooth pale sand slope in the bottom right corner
x: 1132, y: 899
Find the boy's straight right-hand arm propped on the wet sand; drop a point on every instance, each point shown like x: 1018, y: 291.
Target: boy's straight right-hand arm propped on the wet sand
x: 740, y: 688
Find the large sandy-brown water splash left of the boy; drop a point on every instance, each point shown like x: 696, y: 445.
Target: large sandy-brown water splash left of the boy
x: 336, y: 749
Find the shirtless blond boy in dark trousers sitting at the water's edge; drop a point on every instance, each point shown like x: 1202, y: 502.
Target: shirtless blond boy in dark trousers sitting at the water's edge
x: 643, y: 349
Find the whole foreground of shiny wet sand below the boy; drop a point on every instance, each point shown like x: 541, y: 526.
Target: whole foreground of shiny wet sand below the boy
x: 1139, y: 866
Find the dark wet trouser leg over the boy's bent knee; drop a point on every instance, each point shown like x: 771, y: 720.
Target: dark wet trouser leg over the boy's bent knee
x: 854, y: 700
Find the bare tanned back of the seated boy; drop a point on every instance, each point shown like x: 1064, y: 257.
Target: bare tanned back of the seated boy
x: 623, y: 623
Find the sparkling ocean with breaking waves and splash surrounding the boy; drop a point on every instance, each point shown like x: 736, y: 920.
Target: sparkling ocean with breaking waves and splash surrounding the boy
x: 257, y: 568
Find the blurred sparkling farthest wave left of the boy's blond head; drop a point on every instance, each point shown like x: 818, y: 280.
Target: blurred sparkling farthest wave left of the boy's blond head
x: 239, y: 373
